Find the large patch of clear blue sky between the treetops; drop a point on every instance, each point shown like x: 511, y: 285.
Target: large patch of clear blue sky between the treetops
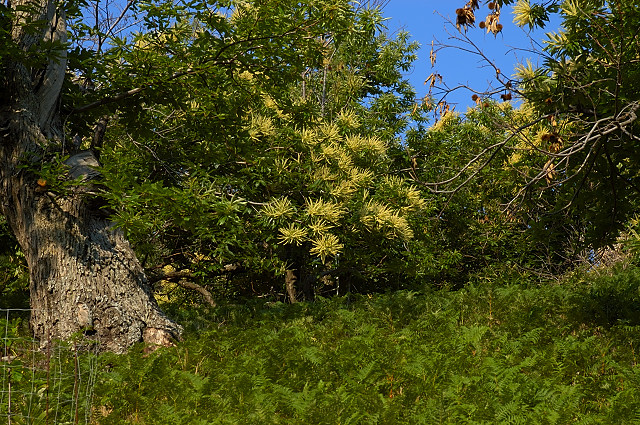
x: 426, y: 20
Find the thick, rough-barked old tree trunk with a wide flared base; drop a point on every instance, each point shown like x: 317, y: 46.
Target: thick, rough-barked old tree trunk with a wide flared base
x: 84, y: 276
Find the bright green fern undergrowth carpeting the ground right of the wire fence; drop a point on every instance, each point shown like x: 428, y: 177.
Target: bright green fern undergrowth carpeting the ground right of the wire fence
x: 488, y: 354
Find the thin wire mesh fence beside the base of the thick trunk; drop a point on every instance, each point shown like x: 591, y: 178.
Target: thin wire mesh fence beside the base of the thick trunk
x: 50, y: 383
